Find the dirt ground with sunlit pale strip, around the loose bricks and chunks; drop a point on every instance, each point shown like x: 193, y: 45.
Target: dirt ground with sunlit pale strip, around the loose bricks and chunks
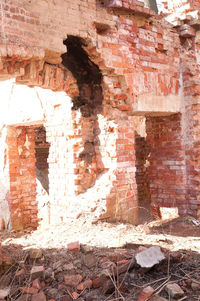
x: 107, y: 244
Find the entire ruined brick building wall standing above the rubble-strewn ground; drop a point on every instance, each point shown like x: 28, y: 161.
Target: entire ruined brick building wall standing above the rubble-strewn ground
x: 100, y: 109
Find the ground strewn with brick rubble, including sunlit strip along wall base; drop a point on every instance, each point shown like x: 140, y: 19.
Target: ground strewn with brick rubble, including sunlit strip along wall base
x: 84, y: 272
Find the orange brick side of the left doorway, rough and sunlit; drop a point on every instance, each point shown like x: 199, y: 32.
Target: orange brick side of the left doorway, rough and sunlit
x: 22, y: 196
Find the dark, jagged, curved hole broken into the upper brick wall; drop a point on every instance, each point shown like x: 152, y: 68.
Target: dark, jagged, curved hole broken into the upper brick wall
x: 87, y: 75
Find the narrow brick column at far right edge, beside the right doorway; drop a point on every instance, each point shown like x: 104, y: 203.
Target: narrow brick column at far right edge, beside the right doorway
x: 191, y: 92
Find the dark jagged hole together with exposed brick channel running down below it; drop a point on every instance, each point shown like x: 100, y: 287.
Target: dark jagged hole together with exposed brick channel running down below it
x: 89, y: 102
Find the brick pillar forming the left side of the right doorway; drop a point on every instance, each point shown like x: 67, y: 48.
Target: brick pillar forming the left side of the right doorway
x: 122, y: 202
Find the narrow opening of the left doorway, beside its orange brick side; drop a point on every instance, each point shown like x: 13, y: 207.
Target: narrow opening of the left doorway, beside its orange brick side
x: 41, y: 154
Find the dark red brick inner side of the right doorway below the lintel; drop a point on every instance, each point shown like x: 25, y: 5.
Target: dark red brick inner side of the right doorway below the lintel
x: 167, y: 171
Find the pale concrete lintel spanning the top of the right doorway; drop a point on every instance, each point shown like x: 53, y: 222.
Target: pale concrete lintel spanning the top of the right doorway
x: 154, y: 105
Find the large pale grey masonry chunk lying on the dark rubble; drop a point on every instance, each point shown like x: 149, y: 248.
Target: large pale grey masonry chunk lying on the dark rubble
x: 149, y: 257
